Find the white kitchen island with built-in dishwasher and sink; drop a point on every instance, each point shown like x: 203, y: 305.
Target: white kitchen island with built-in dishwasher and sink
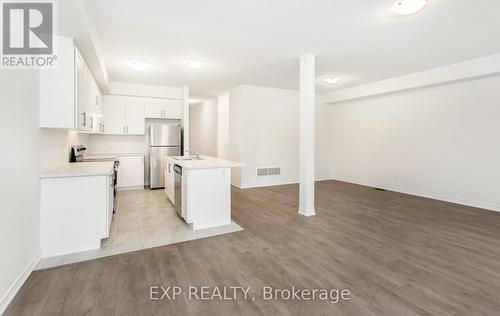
x: 200, y: 189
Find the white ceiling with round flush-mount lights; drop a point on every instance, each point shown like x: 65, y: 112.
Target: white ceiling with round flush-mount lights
x: 259, y: 41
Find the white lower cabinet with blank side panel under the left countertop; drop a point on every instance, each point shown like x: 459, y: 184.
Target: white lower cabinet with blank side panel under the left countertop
x: 75, y: 213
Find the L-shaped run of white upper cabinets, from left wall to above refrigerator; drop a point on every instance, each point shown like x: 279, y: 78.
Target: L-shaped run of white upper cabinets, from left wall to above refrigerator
x: 70, y: 98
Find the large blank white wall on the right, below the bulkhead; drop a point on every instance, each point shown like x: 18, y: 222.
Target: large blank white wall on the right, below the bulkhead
x: 441, y: 142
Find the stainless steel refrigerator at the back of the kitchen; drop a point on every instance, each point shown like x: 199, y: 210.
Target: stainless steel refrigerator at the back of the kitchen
x: 164, y: 140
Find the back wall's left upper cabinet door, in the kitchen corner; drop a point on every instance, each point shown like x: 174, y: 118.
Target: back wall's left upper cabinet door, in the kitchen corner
x: 114, y: 114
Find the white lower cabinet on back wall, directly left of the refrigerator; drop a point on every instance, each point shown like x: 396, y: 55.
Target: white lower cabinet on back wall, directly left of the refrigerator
x: 131, y: 172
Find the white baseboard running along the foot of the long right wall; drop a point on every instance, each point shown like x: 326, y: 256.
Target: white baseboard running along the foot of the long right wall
x: 486, y: 206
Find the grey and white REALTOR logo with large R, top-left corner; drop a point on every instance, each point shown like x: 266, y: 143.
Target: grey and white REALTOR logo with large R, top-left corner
x: 27, y: 34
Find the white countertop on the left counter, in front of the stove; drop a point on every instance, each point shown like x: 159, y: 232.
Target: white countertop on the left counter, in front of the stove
x: 80, y: 169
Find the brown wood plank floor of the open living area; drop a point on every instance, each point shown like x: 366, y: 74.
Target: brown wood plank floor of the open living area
x: 397, y: 254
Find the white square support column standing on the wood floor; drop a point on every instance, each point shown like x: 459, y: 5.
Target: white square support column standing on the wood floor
x: 306, y: 111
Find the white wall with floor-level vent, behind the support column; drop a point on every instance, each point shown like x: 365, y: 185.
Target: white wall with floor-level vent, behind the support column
x: 264, y: 132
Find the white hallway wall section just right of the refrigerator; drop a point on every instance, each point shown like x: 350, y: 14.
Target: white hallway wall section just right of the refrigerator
x: 203, y: 128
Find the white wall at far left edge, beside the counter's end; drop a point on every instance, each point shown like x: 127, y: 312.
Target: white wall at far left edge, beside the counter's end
x: 19, y: 218
